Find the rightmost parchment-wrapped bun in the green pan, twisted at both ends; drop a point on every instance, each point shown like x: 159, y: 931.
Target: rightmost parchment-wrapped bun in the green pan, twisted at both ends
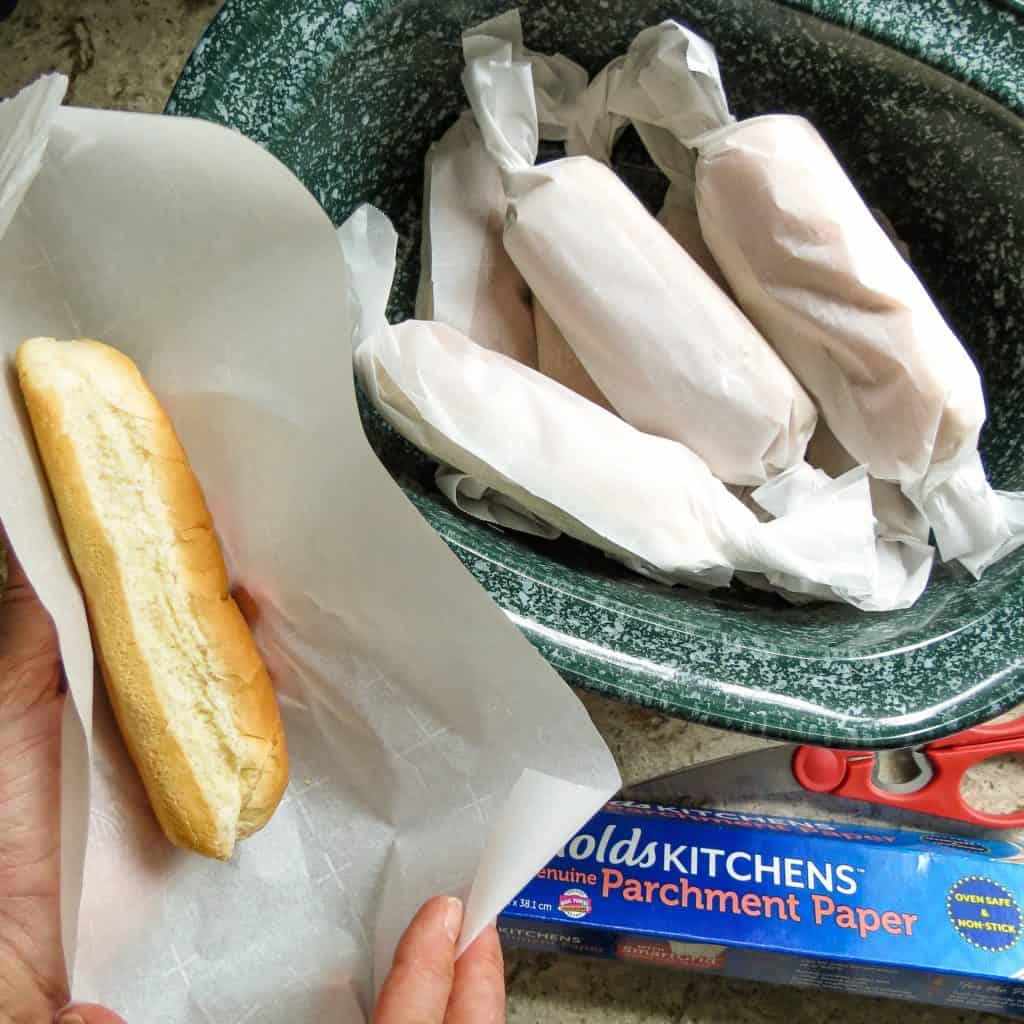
x: 817, y: 273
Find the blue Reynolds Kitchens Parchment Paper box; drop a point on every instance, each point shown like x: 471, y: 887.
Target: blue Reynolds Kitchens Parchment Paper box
x: 907, y: 915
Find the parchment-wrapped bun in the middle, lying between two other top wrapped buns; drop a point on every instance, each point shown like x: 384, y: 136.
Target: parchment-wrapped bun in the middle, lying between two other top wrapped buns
x: 664, y: 345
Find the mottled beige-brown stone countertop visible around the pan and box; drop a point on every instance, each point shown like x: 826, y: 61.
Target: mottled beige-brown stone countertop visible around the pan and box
x: 127, y: 55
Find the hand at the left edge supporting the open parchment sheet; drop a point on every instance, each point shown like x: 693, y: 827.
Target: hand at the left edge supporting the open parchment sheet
x: 33, y: 982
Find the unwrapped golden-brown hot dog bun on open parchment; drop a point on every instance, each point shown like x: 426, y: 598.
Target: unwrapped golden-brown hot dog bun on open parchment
x: 190, y: 691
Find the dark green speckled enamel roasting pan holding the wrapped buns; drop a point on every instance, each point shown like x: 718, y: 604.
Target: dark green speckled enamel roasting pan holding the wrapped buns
x: 350, y: 95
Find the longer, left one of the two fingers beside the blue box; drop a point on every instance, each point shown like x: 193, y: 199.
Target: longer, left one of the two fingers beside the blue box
x: 417, y: 991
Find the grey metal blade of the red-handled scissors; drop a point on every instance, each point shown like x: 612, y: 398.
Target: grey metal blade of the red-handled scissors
x: 760, y: 774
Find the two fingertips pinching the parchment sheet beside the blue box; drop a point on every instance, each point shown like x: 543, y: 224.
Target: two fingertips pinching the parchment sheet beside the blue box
x: 428, y: 986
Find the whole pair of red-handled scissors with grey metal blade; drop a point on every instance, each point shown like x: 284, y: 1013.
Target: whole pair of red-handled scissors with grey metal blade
x: 935, y: 789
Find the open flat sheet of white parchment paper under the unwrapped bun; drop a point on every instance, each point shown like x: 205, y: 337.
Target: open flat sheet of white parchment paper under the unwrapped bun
x: 428, y: 738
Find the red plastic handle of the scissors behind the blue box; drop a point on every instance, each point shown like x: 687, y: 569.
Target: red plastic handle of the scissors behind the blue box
x: 845, y: 774
